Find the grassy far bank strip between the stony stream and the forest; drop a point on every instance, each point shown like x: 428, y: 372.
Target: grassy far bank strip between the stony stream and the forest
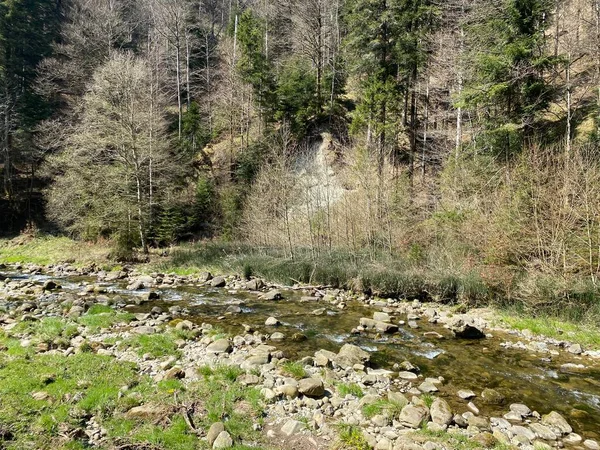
x: 569, y: 323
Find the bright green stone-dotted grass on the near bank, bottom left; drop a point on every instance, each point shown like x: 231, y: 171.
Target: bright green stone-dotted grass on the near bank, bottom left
x: 87, y: 384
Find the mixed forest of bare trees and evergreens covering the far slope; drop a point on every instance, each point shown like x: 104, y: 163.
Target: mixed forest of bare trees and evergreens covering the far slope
x: 446, y: 147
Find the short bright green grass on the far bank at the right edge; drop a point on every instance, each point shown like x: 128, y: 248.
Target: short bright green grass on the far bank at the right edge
x: 554, y: 327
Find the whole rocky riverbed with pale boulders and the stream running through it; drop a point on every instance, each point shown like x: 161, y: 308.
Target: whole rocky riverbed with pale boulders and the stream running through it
x: 407, y: 375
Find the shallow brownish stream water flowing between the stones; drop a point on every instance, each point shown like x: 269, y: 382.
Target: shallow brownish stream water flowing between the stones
x: 521, y: 376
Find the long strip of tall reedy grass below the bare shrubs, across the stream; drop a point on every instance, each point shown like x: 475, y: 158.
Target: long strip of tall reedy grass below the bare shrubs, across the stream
x: 378, y: 273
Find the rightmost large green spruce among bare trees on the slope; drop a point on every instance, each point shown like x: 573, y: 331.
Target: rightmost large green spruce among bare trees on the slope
x: 509, y: 63
